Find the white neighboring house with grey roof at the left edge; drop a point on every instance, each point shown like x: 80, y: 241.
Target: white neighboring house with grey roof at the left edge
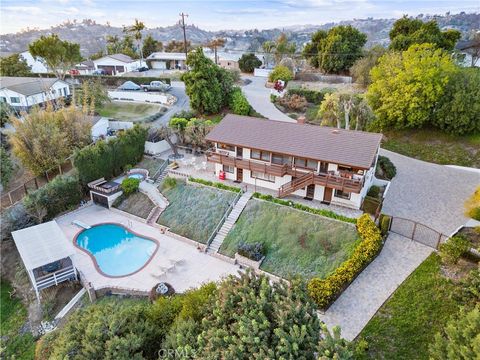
x: 24, y: 92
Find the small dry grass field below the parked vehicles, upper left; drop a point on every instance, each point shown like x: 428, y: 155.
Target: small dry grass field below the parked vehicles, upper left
x: 128, y: 111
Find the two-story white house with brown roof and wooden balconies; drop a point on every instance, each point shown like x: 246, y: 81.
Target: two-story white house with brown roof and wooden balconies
x: 331, y: 165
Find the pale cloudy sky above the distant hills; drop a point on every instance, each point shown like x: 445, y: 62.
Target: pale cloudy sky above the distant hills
x: 16, y: 15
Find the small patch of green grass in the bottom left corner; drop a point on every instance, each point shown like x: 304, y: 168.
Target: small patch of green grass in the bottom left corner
x: 13, y: 316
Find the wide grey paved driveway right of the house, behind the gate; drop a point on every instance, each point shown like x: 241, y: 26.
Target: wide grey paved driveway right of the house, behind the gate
x: 431, y: 194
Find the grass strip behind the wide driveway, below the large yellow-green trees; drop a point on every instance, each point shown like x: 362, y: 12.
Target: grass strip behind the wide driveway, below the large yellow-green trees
x: 435, y: 146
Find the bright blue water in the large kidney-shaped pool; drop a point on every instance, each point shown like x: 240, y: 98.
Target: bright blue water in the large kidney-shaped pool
x: 117, y: 251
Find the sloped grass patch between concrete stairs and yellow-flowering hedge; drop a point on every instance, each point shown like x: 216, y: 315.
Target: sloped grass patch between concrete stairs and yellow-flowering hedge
x: 296, y: 242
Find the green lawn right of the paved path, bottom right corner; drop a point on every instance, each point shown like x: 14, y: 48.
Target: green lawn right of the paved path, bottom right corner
x: 406, y: 324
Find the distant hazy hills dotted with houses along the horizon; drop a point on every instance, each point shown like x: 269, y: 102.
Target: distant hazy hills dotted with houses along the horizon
x: 91, y: 35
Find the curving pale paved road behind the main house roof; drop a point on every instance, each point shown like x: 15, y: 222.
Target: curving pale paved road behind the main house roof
x: 259, y: 98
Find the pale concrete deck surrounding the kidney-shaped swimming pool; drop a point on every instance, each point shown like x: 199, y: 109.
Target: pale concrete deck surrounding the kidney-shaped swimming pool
x: 196, y: 268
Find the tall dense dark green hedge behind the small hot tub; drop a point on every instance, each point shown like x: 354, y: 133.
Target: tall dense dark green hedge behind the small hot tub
x: 109, y: 158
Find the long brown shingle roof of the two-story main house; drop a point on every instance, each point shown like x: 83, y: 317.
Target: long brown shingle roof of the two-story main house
x: 346, y: 147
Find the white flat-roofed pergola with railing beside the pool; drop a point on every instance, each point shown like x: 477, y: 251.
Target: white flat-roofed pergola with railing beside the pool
x: 41, y: 246
